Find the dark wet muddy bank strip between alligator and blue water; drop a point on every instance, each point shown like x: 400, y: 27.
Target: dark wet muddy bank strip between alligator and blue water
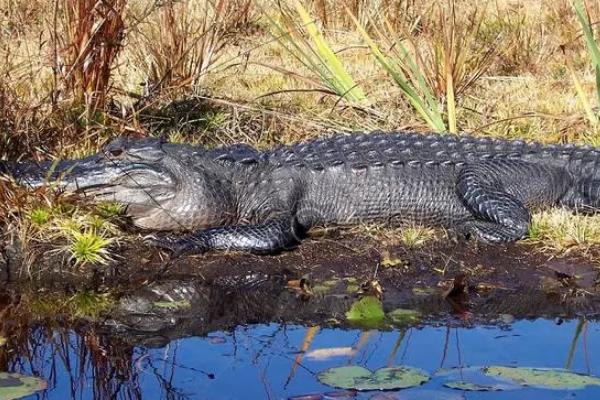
x: 157, y: 299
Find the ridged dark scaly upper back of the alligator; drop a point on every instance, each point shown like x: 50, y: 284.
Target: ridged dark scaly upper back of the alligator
x: 363, y: 150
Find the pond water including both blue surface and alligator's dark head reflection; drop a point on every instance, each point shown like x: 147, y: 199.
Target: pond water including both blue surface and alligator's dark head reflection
x: 181, y: 341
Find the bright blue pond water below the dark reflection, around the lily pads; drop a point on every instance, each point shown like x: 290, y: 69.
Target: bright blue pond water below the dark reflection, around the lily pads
x: 265, y: 361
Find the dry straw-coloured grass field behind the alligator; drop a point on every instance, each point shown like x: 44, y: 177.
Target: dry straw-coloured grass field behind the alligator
x: 74, y: 73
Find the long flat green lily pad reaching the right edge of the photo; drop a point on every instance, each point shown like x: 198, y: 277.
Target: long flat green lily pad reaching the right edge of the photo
x: 546, y: 378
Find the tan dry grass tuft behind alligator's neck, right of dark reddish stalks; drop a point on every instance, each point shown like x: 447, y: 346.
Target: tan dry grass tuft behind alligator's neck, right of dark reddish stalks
x: 178, y: 43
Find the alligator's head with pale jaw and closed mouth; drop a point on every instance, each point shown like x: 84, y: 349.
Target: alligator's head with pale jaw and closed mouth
x: 163, y: 186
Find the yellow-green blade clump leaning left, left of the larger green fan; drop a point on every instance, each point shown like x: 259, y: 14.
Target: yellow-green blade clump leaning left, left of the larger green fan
x: 310, y: 48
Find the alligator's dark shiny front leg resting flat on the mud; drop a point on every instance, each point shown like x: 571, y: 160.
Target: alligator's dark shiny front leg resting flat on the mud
x: 270, y: 237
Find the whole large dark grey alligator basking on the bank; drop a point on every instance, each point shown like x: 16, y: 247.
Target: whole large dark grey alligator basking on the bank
x: 241, y: 198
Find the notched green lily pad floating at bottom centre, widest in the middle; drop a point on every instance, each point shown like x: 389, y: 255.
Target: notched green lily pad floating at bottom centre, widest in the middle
x: 359, y: 378
